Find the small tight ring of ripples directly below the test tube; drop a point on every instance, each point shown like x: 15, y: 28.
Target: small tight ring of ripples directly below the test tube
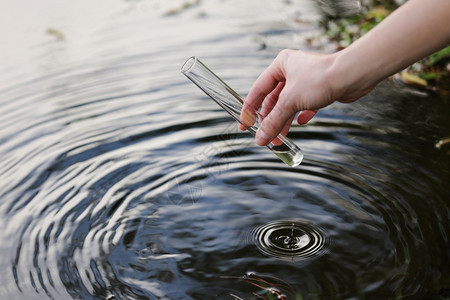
x: 289, y: 240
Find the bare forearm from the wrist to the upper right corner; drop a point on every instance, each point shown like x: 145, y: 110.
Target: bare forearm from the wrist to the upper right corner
x: 415, y: 30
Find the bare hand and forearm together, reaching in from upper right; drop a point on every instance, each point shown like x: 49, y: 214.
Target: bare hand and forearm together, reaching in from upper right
x: 298, y: 81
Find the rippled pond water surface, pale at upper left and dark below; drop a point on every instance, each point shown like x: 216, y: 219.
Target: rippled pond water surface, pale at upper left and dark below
x: 121, y: 180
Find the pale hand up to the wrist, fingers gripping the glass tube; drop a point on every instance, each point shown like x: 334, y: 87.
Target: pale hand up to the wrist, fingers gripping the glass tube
x: 296, y: 81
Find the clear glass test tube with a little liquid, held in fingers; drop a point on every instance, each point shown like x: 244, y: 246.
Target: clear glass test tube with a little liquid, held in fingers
x: 232, y: 103
